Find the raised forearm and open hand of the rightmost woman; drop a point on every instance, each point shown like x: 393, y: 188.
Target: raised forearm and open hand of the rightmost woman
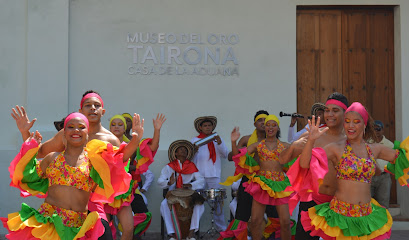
x: 314, y: 133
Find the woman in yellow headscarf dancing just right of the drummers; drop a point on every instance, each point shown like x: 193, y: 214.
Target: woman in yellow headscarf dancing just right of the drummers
x: 270, y: 185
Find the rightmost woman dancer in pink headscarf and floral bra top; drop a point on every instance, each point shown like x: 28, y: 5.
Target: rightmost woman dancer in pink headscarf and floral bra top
x: 351, y: 214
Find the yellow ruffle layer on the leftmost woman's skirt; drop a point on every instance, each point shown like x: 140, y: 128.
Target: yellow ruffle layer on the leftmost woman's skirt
x: 47, y: 231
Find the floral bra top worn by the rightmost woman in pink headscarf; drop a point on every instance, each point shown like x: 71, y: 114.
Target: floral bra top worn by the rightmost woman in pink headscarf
x: 352, y: 167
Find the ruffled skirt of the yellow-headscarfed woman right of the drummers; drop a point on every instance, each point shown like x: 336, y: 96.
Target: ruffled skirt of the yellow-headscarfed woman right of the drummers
x: 269, y: 188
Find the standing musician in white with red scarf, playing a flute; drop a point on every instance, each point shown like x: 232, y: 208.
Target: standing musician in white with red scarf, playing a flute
x: 208, y: 160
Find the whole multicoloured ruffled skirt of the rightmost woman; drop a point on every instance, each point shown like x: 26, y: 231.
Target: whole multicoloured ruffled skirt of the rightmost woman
x: 341, y: 220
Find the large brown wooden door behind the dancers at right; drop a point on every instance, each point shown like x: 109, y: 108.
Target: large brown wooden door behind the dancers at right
x: 348, y: 50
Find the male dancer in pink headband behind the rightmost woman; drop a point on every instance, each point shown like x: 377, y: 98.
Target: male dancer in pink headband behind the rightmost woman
x: 306, y: 181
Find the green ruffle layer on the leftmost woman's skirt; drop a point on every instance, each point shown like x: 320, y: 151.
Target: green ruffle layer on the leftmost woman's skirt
x: 65, y: 233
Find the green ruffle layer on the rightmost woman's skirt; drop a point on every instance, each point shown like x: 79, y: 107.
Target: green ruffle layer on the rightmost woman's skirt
x: 354, y: 226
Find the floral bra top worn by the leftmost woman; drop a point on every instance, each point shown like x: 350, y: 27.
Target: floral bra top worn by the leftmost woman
x: 60, y: 173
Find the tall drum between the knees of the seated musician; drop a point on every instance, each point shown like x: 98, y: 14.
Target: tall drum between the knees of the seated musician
x: 181, y: 203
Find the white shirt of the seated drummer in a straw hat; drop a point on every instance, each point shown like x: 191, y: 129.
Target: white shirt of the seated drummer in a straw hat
x: 196, y: 179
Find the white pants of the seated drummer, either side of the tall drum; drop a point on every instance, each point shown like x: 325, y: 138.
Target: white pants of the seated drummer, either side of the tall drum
x: 198, y: 210
